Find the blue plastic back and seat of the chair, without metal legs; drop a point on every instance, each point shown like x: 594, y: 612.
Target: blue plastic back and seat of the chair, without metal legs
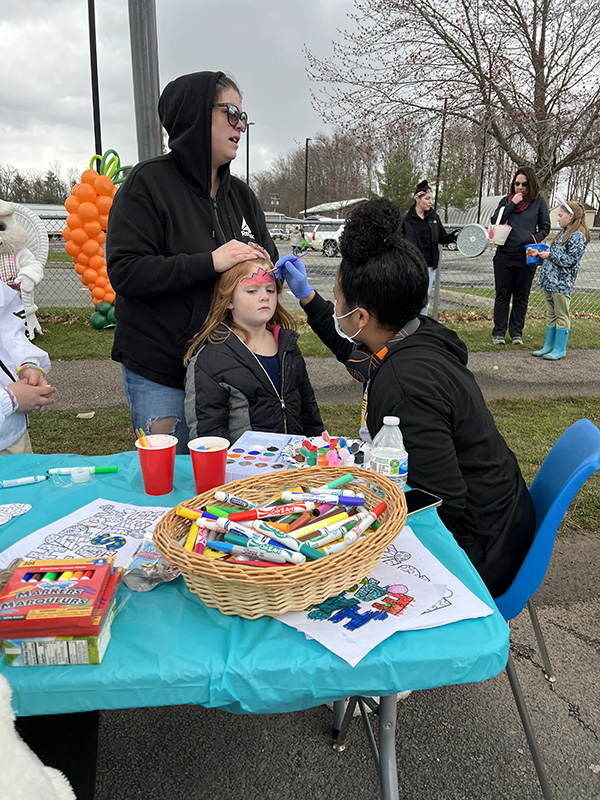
x: 574, y: 457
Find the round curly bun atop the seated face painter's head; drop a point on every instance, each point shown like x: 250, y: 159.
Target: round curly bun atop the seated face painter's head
x: 371, y: 228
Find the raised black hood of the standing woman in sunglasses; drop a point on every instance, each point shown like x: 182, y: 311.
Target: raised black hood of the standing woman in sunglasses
x: 185, y: 110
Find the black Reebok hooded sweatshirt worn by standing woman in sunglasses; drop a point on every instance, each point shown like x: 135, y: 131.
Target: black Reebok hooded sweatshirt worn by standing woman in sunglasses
x: 163, y: 227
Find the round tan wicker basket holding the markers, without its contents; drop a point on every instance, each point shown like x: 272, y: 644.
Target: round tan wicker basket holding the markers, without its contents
x: 253, y: 592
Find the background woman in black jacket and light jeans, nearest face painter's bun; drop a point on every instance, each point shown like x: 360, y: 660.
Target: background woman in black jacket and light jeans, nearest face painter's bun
x: 423, y: 227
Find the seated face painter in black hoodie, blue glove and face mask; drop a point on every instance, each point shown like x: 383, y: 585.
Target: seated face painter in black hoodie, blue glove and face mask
x: 414, y: 368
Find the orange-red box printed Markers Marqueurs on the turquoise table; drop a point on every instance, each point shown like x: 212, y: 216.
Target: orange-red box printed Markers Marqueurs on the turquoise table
x: 45, y: 595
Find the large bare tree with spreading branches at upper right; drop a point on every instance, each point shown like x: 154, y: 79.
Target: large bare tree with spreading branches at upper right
x: 525, y: 72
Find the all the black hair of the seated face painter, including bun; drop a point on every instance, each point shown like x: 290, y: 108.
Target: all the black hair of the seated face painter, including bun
x: 380, y: 269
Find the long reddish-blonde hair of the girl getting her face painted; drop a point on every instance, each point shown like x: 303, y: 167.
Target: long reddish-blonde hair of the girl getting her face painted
x: 220, y: 312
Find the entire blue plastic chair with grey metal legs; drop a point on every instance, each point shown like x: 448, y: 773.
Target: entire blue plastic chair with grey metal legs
x: 570, y: 462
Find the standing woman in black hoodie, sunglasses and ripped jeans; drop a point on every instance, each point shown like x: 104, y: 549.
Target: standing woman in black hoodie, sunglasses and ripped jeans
x: 177, y: 222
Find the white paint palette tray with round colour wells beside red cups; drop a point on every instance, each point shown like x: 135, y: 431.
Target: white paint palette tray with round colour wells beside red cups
x: 256, y: 453
